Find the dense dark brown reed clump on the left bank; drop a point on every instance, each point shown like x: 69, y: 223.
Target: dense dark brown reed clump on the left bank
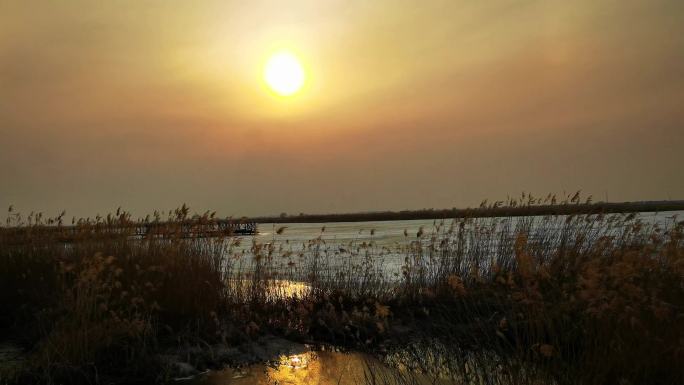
x: 99, y: 305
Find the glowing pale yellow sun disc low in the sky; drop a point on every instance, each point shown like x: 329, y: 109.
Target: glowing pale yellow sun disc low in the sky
x: 284, y: 74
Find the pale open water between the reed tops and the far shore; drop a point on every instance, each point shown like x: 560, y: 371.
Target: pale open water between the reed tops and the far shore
x: 386, y: 241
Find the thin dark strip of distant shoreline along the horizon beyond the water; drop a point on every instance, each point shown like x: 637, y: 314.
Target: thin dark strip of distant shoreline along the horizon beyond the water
x: 507, y: 211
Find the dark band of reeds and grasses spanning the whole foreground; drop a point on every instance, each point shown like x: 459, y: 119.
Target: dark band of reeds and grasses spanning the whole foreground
x: 580, y: 299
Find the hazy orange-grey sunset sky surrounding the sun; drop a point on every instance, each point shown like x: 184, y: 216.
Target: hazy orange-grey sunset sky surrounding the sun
x: 408, y: 104
